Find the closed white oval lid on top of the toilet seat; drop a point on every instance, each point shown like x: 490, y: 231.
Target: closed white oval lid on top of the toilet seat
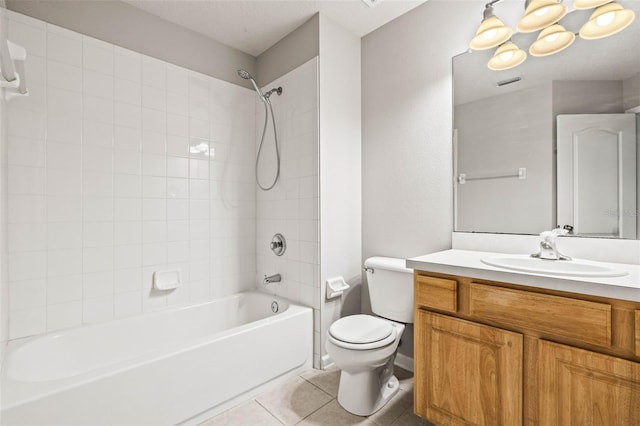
x: 360, y: 329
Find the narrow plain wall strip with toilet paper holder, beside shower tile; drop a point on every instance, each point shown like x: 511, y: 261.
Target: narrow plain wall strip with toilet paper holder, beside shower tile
x: 340, y: 169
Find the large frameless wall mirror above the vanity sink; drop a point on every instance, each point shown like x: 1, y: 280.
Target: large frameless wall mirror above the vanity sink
x: 553, y: 141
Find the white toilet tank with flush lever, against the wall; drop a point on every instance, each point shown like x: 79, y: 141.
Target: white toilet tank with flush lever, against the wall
x: 390, y: 288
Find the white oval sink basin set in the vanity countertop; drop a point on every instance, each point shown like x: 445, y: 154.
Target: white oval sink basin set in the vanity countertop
x: 574, y: 268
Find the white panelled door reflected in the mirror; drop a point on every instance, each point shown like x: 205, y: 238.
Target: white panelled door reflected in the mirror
x: 597, y: 174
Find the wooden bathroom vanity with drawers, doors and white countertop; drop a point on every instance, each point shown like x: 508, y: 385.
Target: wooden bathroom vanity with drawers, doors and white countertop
x: 502, y: 347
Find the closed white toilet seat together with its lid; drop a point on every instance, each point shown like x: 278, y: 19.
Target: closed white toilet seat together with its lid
x: 361, y: 332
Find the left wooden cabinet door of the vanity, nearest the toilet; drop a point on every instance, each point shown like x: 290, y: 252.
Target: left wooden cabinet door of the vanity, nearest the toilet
x: 466, y: 373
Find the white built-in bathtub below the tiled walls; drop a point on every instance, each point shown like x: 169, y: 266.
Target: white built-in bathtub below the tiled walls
x: 172, y: 367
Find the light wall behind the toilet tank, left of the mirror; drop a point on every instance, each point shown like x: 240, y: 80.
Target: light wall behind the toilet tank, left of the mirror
x: 407, y: 201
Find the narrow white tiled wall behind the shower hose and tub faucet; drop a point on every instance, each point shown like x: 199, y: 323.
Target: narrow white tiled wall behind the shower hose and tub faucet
x: 292, y: 206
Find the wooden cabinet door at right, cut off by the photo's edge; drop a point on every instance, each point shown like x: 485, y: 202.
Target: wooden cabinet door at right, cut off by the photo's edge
x: 579, y: 387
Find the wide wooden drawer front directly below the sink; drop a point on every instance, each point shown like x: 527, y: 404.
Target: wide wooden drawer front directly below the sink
x: 589, y: 322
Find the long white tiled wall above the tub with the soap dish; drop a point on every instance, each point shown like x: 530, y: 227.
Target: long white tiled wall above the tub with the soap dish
x: 121, y: 165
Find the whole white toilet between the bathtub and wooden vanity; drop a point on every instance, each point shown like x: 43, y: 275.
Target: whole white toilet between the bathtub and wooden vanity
x: 364, y: 347
